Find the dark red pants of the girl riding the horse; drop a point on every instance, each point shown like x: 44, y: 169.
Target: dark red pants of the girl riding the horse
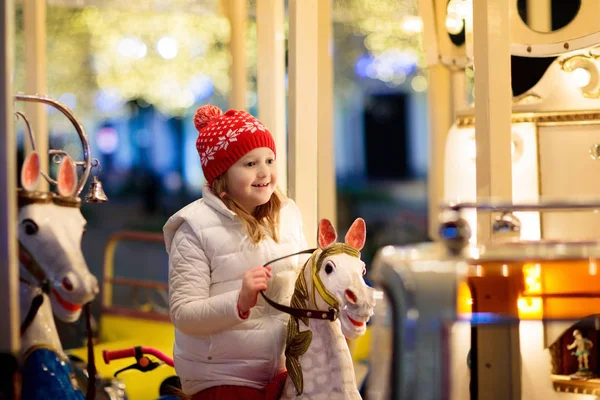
x: 229, y: 392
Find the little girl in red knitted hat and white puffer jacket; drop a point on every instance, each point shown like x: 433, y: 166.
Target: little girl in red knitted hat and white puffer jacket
x: 229, y: 343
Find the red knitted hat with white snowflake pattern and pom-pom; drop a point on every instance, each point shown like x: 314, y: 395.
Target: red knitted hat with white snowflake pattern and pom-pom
x: 225, y: 138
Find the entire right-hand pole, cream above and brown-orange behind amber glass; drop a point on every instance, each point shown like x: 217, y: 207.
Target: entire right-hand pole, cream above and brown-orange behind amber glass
x: 497, y: 359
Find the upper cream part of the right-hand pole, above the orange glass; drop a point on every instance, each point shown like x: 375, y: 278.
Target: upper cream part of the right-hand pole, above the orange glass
x: 493, y: 101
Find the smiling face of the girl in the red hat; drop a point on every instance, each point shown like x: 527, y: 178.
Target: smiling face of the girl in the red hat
x: 252, y: 179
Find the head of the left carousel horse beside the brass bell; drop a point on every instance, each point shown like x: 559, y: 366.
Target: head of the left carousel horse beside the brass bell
x: 50, y: 228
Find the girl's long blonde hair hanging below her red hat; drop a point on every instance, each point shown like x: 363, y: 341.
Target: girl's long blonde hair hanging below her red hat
x: 265, y: 215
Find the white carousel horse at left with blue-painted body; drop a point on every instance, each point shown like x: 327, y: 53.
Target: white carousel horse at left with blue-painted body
x: 52, y: 271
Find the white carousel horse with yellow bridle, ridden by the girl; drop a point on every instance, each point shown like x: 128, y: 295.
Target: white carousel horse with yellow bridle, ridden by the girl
x: 317, y: 355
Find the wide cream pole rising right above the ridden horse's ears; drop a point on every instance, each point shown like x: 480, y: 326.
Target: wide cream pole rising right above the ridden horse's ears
x: 303, y: 111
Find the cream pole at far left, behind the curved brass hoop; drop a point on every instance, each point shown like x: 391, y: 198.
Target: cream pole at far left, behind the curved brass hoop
x: 34, y: 21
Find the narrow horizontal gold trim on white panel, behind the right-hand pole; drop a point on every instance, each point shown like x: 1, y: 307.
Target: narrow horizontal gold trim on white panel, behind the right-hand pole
x: 542, y: 118
